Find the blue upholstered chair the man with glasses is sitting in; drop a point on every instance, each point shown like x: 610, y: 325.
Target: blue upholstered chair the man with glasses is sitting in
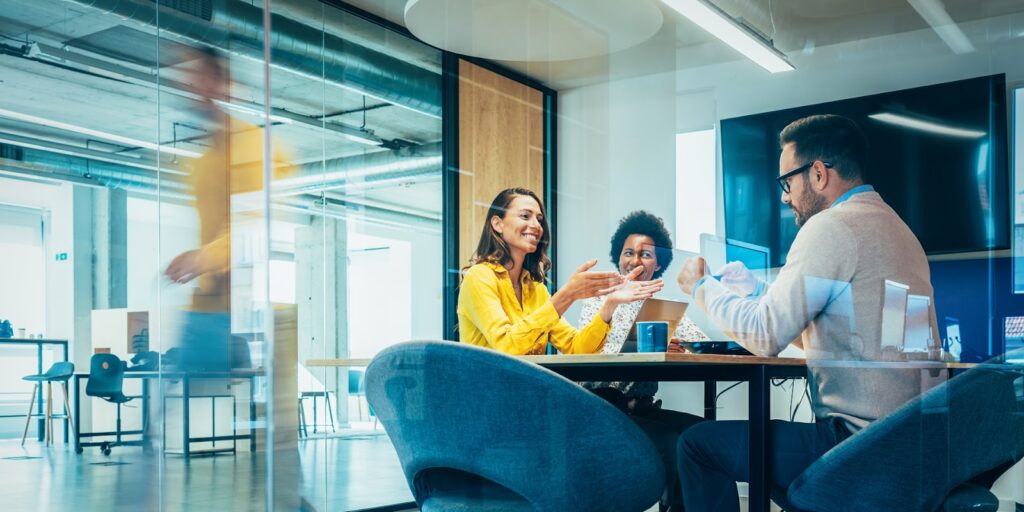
x: 942, y: 452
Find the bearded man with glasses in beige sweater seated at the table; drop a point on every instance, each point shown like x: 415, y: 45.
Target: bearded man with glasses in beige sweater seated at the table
x: 827, y: 301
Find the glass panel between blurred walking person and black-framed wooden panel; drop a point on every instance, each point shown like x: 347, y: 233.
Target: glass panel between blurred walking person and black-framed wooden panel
x: 356, y: 235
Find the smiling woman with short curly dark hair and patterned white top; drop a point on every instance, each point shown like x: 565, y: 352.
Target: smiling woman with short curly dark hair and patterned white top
x: 643, y: 242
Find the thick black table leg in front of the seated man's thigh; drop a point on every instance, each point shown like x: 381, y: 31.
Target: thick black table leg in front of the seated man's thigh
x: 760, y: 416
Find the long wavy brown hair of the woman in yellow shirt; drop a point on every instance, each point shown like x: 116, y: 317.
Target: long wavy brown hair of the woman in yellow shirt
x: 493, y: 249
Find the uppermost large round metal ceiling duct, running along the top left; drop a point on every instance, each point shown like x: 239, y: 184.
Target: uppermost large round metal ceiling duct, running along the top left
x: 237, y: 27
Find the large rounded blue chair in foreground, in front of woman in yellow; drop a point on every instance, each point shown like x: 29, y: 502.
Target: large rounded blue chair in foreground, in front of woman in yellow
x: 480, y: 431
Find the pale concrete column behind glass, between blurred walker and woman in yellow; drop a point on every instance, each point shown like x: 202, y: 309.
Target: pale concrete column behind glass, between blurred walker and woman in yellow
x: 321, y: 292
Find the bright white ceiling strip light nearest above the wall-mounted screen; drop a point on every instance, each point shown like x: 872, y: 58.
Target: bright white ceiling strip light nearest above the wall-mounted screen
x: 743, y: 39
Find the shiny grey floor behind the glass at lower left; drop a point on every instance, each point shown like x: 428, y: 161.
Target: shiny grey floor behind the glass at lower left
x: 348, y: 473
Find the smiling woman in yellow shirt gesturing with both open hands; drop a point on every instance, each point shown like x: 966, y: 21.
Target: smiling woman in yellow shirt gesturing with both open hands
x: 504, y: 304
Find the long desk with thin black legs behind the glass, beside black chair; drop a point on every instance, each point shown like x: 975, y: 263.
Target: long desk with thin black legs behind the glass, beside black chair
x: 186, y: 378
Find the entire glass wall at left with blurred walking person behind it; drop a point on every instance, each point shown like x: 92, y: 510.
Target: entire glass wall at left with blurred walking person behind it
x: 207, y: 215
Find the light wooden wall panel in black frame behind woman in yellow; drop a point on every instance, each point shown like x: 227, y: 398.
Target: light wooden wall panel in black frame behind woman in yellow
x: 501, y: 145
